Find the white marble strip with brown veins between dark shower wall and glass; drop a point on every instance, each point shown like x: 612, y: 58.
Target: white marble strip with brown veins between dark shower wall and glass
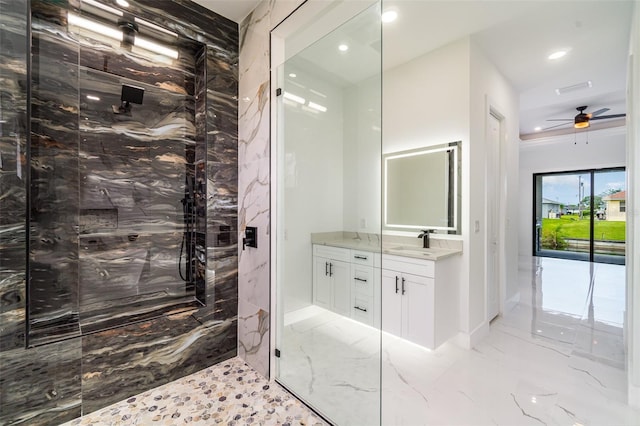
x: 254, y: 285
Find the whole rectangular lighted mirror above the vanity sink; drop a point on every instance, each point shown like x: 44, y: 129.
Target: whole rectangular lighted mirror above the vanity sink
x: 422, y: 189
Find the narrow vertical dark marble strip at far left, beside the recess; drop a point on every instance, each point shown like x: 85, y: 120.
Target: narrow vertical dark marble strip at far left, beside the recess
x: 13, y: 171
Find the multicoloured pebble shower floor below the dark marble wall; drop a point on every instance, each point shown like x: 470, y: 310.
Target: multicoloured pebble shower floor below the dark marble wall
x: 230, y: 393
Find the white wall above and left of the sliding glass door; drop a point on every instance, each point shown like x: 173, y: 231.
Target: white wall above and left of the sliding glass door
x: 606, y: 148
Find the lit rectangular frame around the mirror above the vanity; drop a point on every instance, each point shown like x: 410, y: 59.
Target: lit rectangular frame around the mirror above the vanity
x: 454, y: 148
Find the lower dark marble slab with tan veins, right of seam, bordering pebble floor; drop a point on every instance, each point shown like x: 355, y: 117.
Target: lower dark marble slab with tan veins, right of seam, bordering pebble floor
x: 128, y: 360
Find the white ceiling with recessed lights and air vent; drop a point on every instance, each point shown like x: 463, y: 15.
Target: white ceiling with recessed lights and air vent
x: 517, y: 36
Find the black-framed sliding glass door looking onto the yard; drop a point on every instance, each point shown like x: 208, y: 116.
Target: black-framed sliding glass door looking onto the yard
x: 580, y: 215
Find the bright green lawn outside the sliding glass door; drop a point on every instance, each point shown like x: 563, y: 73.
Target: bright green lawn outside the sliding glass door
x: 570, y: 226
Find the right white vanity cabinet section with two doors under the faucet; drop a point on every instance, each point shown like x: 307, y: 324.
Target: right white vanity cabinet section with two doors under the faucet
x: 419, y: 299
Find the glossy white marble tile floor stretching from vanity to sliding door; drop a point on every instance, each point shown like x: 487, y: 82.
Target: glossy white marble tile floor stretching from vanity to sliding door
x: 557, y: 357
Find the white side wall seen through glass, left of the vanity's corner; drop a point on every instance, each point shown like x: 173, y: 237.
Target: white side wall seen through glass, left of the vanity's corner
x: 313, y: 177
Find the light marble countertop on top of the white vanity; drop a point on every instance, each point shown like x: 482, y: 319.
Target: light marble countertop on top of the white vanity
x: 392, y: 247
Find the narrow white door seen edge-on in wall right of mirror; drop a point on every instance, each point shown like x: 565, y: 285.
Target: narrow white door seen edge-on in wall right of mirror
x: 493, y: 213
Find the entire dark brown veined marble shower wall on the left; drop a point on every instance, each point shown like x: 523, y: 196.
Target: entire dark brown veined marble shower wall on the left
x: 53, y: 383
